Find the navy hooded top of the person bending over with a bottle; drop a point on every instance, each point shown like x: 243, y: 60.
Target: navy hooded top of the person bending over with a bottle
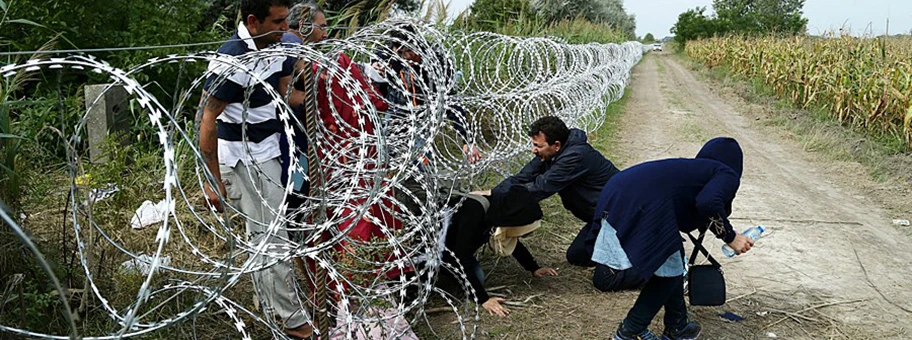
x: 651, y: 203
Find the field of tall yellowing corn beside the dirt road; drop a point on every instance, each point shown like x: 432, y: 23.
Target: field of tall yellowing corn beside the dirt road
x: 861, y: 82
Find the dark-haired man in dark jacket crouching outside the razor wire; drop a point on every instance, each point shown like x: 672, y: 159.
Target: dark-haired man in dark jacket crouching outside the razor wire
x: 565, y: 164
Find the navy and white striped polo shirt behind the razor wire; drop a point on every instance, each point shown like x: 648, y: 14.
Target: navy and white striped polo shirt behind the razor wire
x: 258, y: 118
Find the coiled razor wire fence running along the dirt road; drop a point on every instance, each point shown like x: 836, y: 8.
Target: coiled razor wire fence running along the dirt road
x: 395, y: 172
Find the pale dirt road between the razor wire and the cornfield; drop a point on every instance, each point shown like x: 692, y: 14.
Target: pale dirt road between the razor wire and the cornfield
x: 832, y: 264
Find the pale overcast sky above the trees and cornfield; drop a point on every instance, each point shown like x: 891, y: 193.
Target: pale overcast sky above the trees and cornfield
x: 657, y: 16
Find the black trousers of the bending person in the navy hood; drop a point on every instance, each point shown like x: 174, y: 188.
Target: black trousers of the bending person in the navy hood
x: 658, y: 292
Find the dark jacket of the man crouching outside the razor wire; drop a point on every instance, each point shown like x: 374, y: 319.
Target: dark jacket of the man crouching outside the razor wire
x: 577, y: 173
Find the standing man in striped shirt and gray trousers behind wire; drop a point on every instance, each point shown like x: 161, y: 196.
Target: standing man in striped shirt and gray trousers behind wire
x: 239, y: 141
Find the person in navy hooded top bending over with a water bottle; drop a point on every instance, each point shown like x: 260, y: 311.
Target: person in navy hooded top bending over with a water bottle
x: 639, y: 217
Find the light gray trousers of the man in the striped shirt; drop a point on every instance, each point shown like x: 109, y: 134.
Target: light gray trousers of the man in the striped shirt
x: 258, y: 190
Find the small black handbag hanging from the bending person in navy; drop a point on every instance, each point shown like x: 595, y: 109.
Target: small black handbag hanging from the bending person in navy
x: 706, y: 284
